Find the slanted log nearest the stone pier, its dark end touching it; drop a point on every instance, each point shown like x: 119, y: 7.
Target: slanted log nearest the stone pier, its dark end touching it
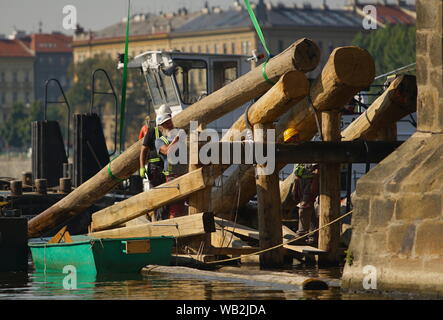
x: 399, y: 100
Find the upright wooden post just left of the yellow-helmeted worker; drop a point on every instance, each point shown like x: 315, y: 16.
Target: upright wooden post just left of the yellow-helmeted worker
x: 269, y: 213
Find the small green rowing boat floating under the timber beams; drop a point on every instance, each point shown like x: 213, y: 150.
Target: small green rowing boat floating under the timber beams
x: 101, y: 256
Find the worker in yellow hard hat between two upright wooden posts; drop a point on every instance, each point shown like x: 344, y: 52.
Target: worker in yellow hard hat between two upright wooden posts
x: 304, y: 191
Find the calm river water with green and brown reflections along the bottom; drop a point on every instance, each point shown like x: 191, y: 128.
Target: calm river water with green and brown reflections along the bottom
x: 34, y: 285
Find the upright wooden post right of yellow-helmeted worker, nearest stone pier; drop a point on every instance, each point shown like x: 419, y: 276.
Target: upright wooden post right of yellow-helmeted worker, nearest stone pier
x: 329, y: 237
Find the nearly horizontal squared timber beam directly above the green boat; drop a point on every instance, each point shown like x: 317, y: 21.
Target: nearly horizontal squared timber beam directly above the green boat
x: 185, y: 226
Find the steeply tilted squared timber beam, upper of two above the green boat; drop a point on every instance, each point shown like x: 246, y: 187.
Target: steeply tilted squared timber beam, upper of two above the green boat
x: 159, y: 196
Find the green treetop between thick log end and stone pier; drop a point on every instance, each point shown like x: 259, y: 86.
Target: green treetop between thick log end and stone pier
x: 391, y: 47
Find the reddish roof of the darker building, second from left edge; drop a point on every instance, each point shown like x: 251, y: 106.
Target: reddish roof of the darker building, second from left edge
x: 50, y: 43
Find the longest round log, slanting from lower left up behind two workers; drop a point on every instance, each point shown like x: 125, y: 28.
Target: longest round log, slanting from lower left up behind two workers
x: 303, y: 55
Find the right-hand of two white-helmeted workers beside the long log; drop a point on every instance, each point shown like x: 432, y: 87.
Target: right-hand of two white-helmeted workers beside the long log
x: 164, y: 145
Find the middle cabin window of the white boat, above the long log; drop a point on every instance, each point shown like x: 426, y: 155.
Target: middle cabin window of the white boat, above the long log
x: 191, y: 79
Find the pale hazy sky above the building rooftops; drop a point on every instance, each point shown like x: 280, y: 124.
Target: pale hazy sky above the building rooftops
x: 97, y: 14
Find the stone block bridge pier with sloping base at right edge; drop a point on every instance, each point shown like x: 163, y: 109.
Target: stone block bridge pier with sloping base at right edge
x: 398, y: 213
